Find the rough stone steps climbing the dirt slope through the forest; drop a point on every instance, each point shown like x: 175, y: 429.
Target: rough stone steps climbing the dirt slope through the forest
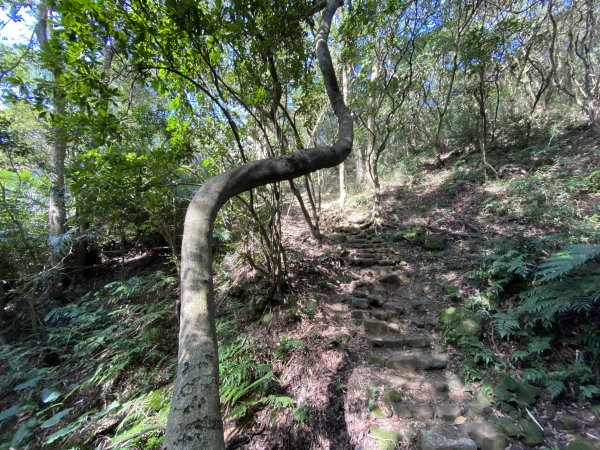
x: 421, y: 402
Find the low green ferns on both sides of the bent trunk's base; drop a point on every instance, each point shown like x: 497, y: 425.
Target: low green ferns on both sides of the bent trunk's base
x: 99, y: 374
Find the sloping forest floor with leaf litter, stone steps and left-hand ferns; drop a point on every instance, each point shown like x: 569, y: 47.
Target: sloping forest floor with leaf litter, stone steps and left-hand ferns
x: 355, y: 353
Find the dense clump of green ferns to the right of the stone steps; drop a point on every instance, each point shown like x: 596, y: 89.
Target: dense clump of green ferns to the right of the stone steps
x: 542, y: 314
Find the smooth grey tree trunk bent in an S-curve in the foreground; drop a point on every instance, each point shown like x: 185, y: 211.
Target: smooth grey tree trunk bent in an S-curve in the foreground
x: 195, y: 416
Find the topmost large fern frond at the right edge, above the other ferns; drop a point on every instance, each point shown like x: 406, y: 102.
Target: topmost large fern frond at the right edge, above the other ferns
x: 563, y: 262
